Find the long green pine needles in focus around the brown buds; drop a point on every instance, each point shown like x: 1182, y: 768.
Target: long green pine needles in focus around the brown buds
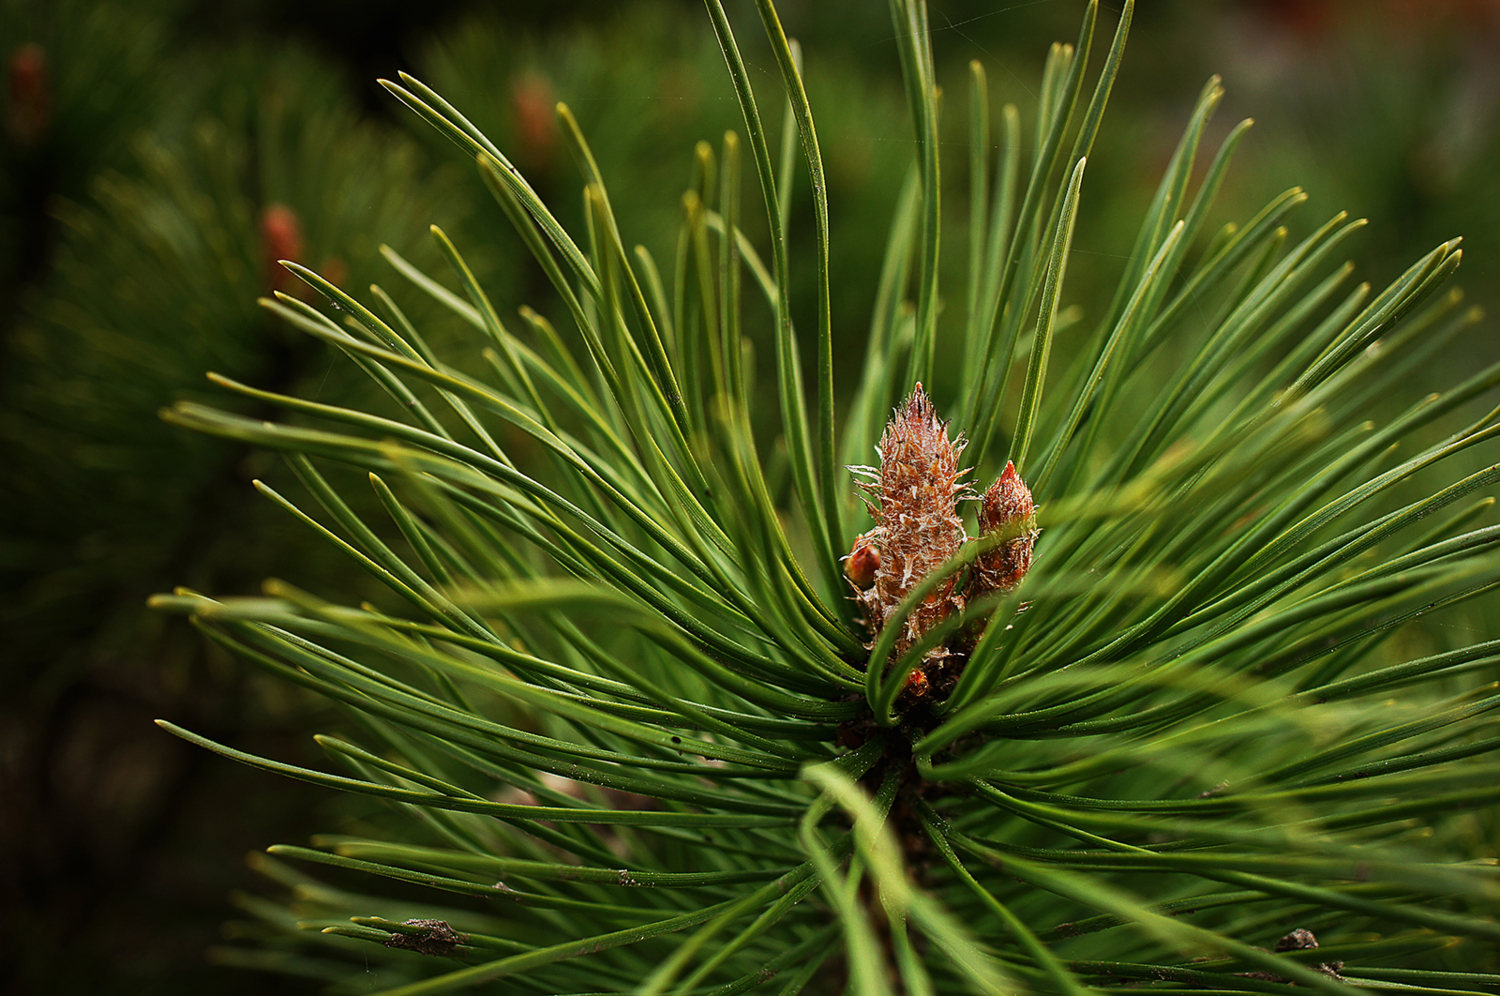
x: 635, y: 734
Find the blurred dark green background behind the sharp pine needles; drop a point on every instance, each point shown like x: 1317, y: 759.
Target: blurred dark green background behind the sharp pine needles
x: 158, y: 155
